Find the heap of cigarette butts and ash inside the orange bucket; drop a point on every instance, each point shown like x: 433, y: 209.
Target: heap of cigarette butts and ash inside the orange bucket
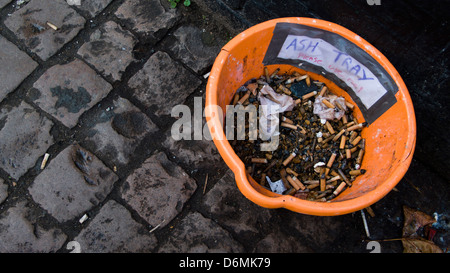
x: 316, y: 158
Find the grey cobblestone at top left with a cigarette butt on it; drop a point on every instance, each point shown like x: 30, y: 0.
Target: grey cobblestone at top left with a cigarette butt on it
x: 29, y: 24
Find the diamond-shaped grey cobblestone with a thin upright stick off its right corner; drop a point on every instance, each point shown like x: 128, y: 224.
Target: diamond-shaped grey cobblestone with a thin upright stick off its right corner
x: 158, y: 190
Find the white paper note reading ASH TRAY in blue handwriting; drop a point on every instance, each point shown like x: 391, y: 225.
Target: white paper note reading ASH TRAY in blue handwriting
x: 321, y: 53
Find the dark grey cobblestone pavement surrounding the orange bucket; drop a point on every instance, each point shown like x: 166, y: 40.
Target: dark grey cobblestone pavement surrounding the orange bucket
x: 96, y: 95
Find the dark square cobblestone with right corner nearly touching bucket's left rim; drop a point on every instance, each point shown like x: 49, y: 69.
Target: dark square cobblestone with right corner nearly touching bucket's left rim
x: 162, y: 83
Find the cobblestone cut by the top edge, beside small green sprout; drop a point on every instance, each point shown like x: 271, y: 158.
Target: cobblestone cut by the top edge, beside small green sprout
x: 147, y: 17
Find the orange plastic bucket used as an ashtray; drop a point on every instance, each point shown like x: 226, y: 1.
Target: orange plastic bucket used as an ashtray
x: 390, y: 139
